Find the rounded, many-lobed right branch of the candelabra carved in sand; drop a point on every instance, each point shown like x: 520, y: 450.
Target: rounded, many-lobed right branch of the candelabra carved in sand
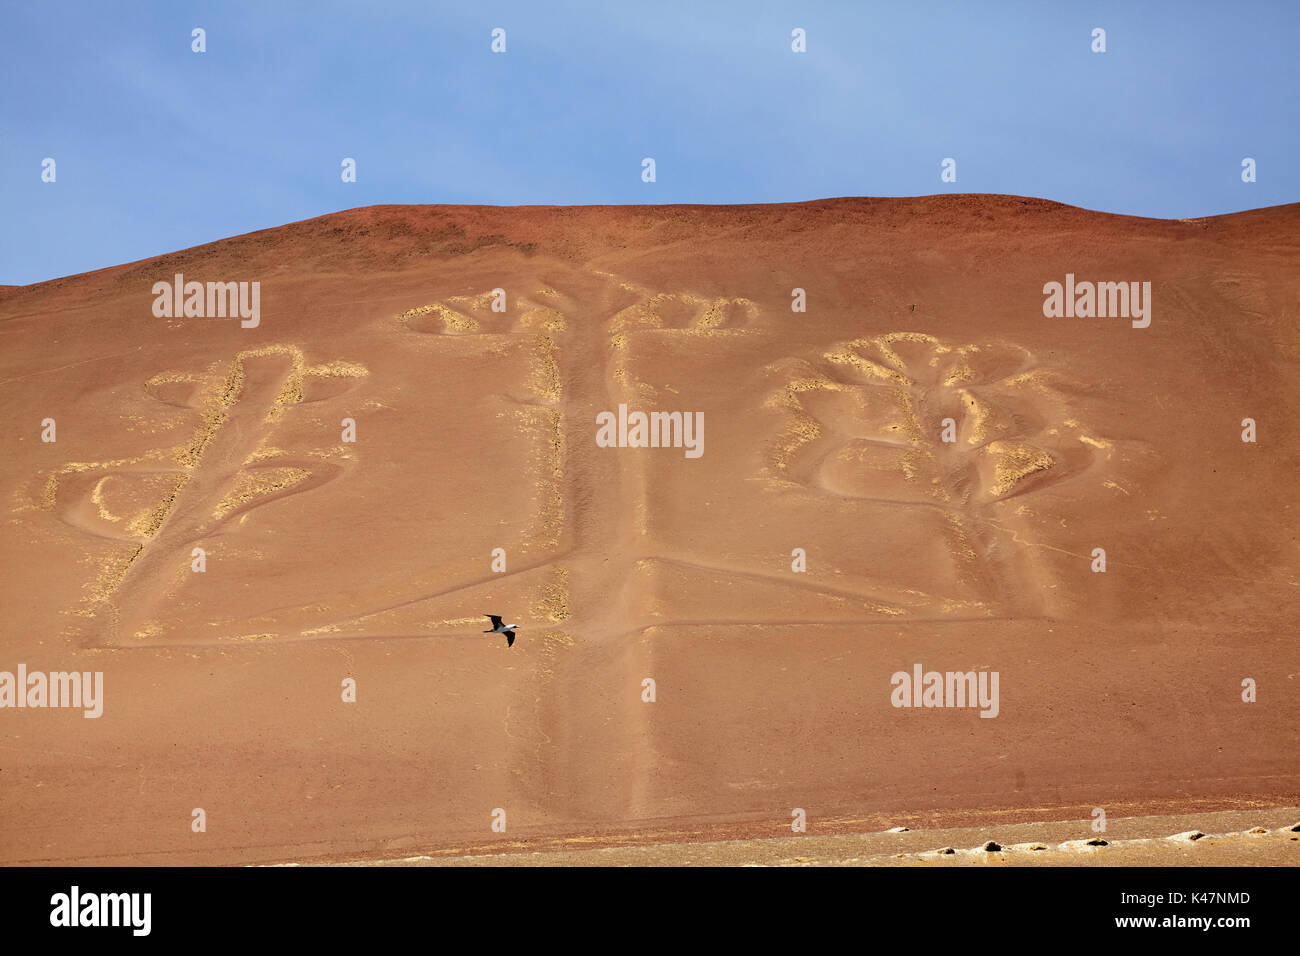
x: 863, y: 422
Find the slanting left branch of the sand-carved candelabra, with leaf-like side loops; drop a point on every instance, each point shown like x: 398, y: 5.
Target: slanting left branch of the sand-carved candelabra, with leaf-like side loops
x: 163, y: 504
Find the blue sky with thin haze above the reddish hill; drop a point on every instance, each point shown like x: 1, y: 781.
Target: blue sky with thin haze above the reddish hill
x: 161, y: 149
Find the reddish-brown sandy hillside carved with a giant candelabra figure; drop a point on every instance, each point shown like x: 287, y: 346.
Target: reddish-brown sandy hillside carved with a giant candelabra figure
x: 476, y: 431
